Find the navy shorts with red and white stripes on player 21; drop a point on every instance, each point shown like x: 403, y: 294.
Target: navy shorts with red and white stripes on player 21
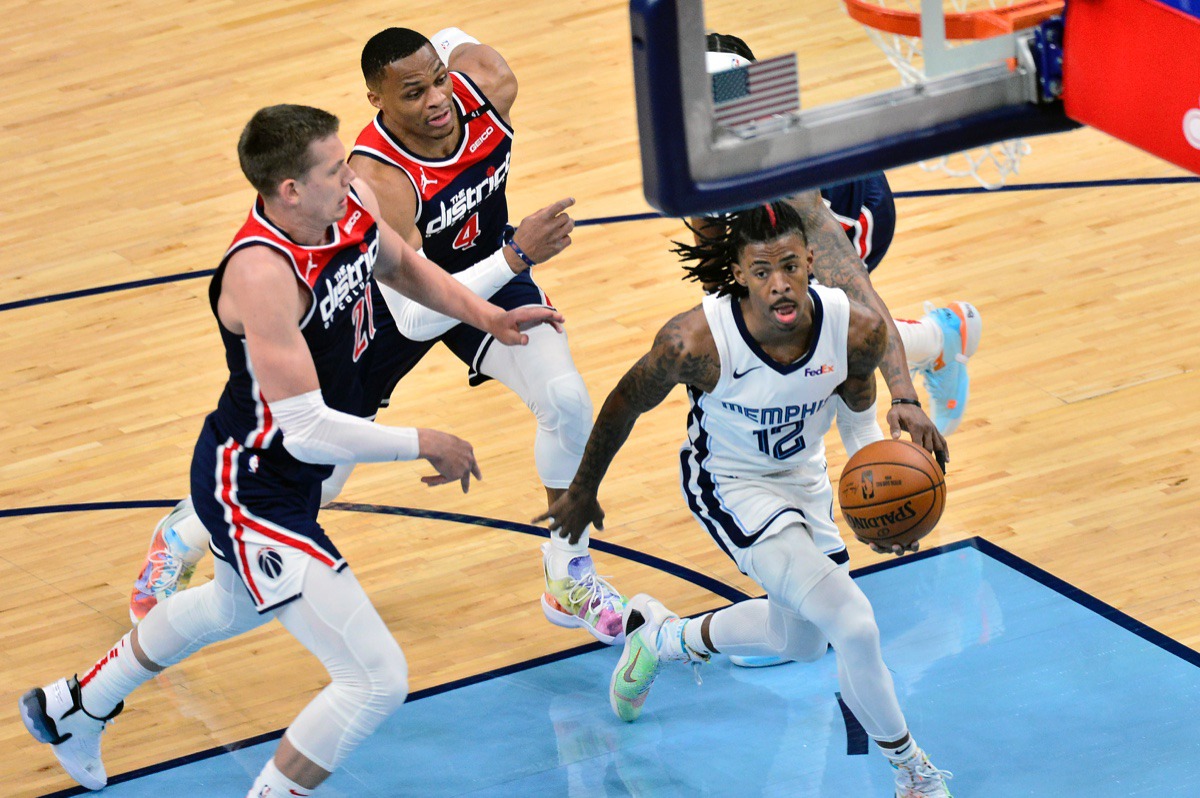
x: 263, y: 521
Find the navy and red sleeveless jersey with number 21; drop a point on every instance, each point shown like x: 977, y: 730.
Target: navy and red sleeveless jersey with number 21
x: 338, y: 328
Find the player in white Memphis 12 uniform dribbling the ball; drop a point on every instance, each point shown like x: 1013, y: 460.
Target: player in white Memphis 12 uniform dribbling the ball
x: 766, y: 362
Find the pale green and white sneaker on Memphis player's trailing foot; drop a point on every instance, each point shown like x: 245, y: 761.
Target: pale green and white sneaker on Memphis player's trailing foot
x: 647, y: 647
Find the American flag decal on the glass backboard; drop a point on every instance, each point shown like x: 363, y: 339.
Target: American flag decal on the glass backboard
x: 757, y: 92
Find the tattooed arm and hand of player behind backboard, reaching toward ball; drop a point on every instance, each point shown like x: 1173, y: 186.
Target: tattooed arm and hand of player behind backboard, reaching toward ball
x: 838, y: 266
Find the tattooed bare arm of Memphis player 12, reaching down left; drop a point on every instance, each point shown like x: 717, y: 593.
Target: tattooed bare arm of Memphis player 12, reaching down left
x: 683, y: 355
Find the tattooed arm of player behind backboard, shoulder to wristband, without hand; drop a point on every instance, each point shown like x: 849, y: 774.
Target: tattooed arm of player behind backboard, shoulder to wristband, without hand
x: 838, y: 266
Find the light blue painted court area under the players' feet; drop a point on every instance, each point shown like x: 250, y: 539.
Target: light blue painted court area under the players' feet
x: 1010, y: 679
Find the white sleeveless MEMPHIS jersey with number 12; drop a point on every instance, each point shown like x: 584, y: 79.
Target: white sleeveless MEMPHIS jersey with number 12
x: 764, y: 417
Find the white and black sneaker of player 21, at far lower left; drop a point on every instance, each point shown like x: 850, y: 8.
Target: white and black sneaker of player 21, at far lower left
x: 56, y: 716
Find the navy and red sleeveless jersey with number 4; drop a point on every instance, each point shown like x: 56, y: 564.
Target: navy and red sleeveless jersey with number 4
x: 461, y: 208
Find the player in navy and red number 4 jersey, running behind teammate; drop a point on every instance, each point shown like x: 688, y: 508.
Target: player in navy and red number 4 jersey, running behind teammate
x: 439, y: 155
